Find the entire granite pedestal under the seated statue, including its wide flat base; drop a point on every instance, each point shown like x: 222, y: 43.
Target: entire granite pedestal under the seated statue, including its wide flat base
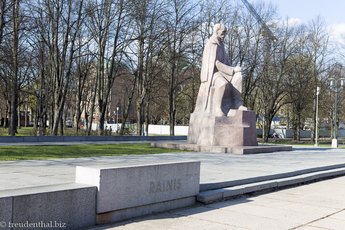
x: 235, y: 133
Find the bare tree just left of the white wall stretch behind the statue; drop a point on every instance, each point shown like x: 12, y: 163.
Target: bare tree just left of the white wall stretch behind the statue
x: 147, y: 51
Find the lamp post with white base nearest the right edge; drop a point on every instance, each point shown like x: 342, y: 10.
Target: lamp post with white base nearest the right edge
x: 337, y: 86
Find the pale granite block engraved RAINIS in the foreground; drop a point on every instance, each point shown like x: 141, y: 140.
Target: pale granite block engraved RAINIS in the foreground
x: 133, y: 186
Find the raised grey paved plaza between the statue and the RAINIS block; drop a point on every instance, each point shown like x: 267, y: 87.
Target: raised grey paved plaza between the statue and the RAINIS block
x: 215, y: 167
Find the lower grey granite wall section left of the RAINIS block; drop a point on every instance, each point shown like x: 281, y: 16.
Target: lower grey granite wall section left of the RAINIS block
x: 67, y: 206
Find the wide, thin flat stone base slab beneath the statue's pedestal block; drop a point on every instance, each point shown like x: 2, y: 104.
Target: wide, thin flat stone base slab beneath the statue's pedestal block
x: 222, y: 149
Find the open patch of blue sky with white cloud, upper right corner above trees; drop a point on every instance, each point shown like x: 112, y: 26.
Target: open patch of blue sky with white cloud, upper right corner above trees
x: 331, y: 11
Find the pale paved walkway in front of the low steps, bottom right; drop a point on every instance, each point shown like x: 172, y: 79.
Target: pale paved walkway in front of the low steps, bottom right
x: 315, y: 206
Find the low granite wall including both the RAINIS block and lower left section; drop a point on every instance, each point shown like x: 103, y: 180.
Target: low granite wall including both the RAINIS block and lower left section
x: 101, y: 195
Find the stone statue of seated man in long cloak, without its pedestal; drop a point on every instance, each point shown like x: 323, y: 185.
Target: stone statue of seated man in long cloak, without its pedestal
x: 221, y: 85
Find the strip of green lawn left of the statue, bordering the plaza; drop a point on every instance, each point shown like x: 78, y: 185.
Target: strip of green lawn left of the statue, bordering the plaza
x: 9, y: 153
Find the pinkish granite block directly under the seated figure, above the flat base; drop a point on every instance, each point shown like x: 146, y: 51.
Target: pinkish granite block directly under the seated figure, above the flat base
x: 236, y: 129
